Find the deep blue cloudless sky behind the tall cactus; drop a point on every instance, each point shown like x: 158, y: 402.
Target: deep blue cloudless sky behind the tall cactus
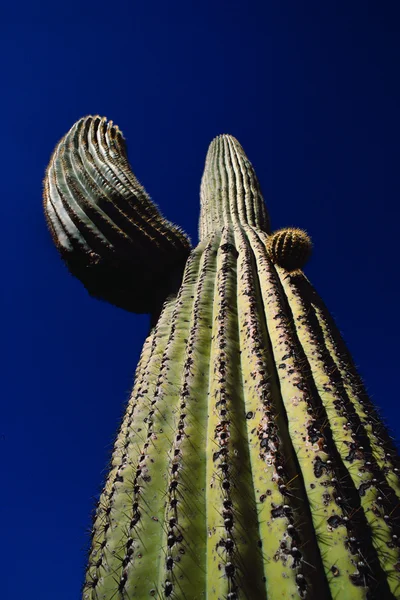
x: 310, y: 89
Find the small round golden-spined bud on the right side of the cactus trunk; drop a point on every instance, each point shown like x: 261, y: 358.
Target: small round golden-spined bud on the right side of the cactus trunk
x: 289, y: 248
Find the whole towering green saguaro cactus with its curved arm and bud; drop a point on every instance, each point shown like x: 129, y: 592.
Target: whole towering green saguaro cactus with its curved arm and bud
x: 250, y: 463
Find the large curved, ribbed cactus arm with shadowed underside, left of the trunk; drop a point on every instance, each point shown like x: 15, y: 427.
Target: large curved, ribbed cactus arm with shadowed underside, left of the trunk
x: 108, y: 231
